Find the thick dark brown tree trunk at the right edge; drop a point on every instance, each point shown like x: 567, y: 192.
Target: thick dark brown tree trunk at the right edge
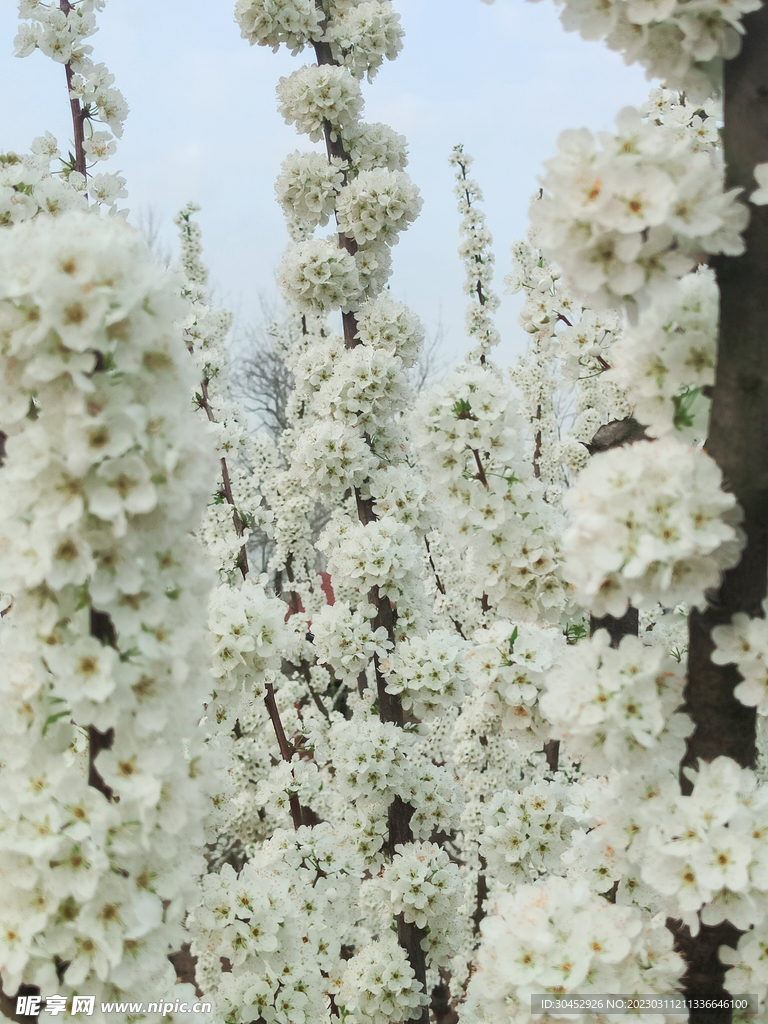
x: 739, y: 443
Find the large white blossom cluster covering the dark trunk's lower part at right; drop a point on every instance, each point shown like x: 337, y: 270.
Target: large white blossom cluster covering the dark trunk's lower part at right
x: 701, y: 859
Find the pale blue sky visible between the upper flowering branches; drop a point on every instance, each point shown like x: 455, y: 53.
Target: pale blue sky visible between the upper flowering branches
x: 503, y: 79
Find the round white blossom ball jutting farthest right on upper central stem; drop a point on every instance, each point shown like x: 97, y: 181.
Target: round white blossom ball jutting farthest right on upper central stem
x: 377, y: 205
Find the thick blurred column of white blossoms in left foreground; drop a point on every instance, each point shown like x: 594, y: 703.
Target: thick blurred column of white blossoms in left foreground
x: 106, y: 477
